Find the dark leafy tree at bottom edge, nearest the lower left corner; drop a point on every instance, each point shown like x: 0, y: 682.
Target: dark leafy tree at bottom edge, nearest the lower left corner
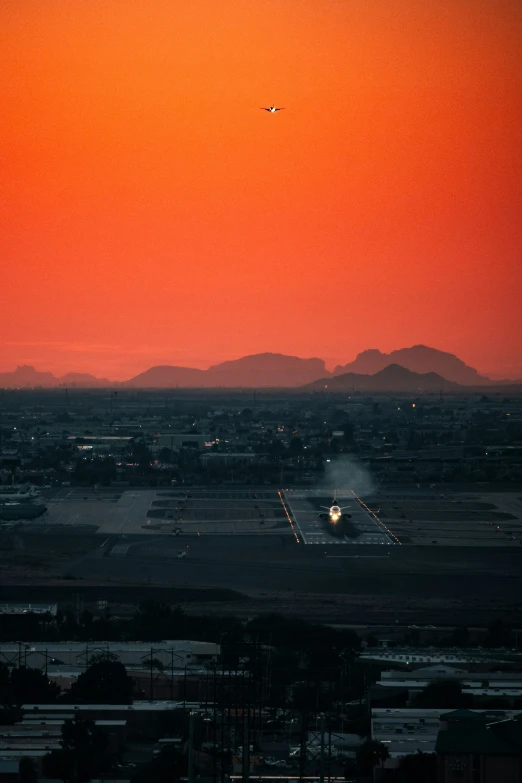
x: 82, y: 755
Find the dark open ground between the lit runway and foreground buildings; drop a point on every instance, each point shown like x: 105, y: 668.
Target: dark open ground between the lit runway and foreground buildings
x: 421, y: 585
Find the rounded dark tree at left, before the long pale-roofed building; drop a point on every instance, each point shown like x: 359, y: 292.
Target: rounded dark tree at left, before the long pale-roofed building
x: 103, y: 682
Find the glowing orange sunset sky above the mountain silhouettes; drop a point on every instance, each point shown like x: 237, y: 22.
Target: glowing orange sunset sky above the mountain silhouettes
x: 152, y: 214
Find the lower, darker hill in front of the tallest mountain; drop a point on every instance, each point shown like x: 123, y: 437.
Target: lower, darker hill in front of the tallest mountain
x: 392, y: 378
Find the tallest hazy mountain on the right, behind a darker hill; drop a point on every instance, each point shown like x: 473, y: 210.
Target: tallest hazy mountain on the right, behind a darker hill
x: 418, y: 358
